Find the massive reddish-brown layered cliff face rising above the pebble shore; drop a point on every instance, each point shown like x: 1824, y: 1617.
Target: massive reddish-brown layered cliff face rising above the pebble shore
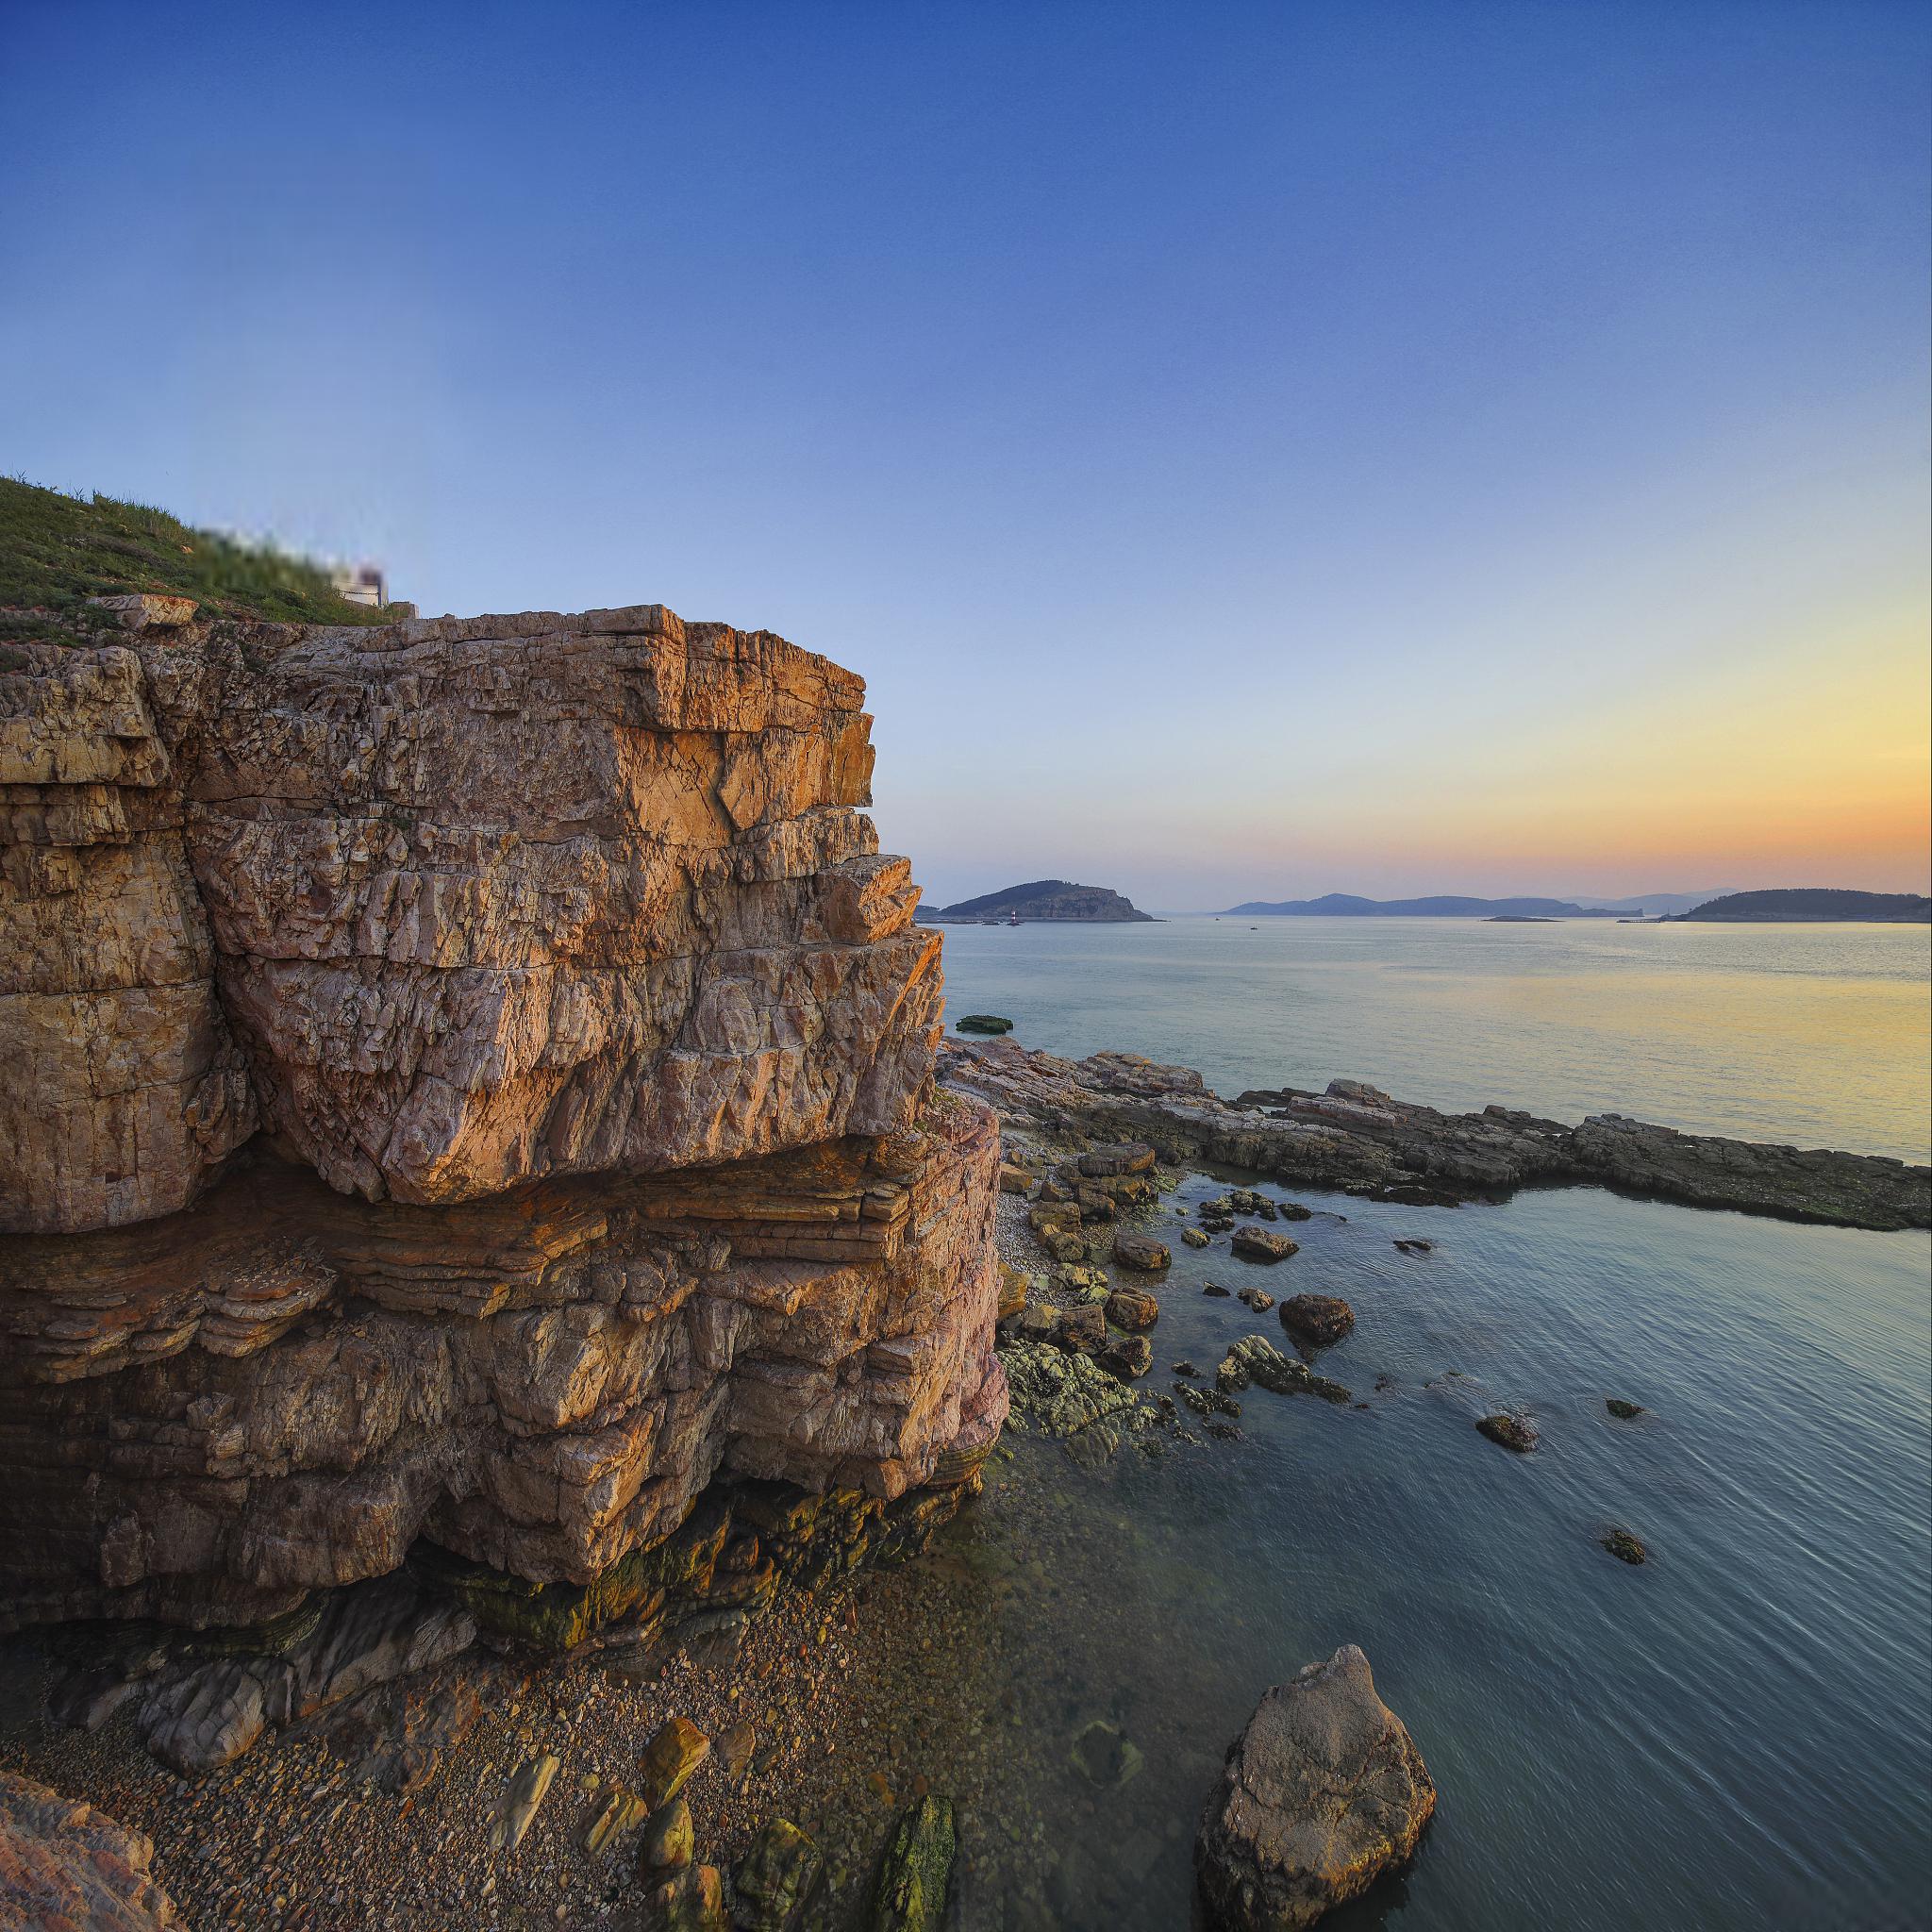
x: 465, y: 1081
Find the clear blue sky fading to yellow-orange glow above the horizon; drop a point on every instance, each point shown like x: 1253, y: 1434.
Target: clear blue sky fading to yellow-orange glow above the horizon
x: 1251, y: 451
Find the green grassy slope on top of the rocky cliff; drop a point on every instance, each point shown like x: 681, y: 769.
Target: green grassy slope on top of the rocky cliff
x: 59, y: 552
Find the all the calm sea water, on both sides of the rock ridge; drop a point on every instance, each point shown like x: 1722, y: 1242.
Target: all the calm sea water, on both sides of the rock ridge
x: 1734, y: 1736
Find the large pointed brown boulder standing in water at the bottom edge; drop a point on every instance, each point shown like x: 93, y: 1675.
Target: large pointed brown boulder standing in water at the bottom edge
x: 1321, y: 1794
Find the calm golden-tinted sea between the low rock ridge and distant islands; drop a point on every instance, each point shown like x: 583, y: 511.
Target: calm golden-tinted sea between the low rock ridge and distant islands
x: 1813, y: 1035
